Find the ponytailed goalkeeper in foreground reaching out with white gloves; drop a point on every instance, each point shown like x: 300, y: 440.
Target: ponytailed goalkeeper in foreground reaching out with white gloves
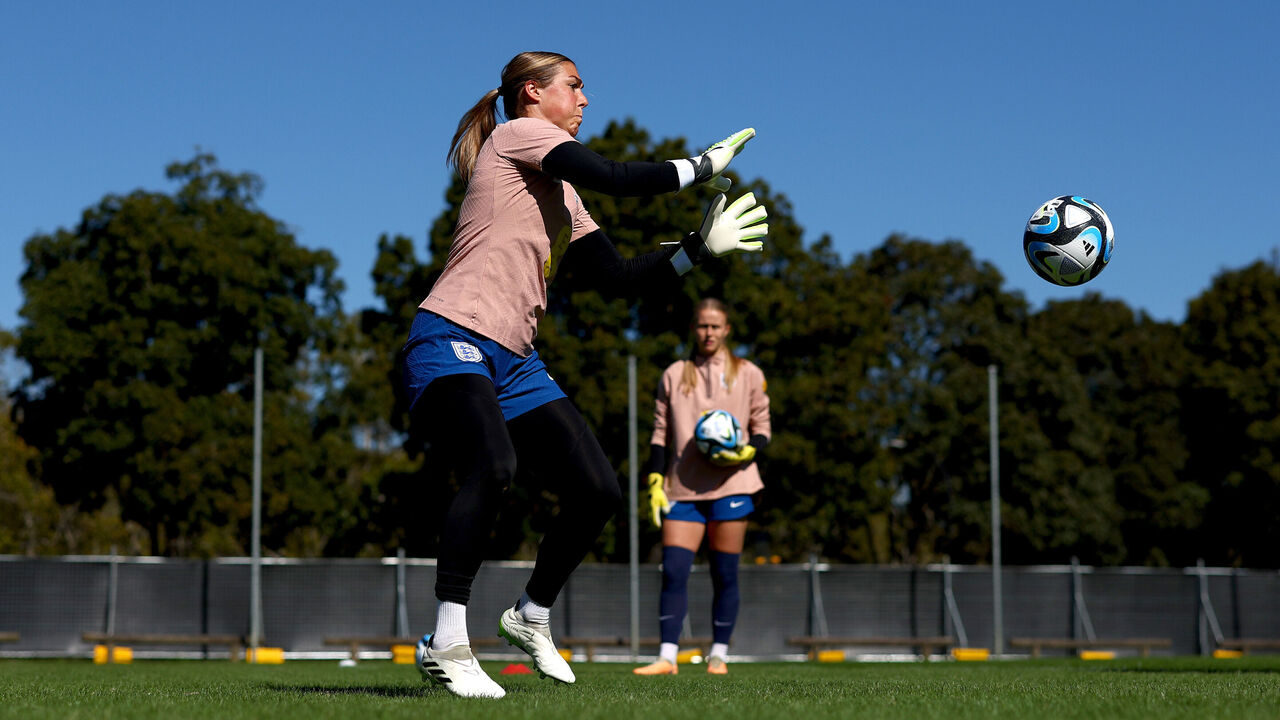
x: 477, y: 388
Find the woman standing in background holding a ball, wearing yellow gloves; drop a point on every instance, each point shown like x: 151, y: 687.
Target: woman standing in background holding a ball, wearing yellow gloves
x: 703, y: 496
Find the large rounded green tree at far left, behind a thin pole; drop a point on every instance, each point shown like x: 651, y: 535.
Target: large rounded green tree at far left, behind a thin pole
x: 140, y: 331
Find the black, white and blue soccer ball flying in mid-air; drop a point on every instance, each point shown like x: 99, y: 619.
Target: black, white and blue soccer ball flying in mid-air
x: 1069, y: 240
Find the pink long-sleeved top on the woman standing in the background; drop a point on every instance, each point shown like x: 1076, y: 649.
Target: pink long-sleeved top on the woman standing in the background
x: 691, y: 476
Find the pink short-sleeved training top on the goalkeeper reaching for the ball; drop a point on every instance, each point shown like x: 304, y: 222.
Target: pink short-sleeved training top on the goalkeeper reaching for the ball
x: 514, y: 229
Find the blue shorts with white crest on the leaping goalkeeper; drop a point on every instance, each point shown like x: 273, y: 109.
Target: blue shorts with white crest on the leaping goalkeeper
x: 438, y: 348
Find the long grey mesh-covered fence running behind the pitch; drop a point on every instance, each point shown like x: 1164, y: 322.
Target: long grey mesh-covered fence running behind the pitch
x: 51, y: 601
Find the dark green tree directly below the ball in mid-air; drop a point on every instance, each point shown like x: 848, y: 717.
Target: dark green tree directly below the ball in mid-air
x: 1118, y: 377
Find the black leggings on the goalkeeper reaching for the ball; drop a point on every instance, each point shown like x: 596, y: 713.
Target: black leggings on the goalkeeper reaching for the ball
x: 463, y: 417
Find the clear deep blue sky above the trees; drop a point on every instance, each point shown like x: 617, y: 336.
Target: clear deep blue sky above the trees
x: 936, y: 120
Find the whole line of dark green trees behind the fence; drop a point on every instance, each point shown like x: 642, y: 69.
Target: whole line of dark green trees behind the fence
x: 1123, y: 440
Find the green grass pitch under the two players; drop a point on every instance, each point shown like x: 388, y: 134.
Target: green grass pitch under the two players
x: 1165, y: 689
